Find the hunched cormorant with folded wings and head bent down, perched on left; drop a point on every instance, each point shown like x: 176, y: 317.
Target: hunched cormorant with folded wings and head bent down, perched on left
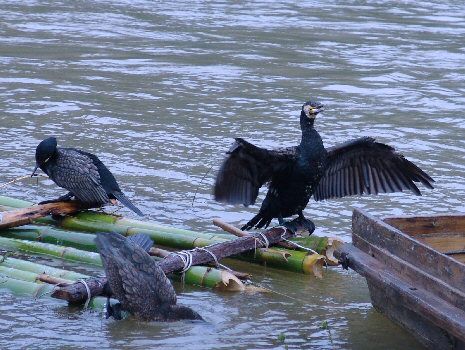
x: 81, y: 173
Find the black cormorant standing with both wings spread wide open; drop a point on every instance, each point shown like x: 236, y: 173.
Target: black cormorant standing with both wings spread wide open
x: 361, y: 166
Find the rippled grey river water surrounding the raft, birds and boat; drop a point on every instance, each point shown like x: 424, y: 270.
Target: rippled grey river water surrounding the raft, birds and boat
x: 159, y: 89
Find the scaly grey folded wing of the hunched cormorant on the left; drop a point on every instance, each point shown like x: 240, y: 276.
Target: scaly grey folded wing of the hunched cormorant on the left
x: 77, y: 173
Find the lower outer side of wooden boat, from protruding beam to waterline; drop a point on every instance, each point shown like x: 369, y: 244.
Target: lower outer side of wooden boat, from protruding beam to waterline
x: 397, y: 295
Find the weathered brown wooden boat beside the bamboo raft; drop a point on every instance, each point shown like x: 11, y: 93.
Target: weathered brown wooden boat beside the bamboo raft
x: 415, y: 270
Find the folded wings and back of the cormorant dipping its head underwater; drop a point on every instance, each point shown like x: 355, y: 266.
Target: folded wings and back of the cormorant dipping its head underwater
x: 136, y: 280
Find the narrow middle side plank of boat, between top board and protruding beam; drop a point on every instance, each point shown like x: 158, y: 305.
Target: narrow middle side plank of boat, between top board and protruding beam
x: 411, y: 273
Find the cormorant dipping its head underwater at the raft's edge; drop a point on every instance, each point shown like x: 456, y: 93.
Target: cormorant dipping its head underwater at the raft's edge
x: 137, y: 281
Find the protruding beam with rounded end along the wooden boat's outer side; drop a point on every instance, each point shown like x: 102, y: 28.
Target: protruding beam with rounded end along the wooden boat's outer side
x: 442, y: 314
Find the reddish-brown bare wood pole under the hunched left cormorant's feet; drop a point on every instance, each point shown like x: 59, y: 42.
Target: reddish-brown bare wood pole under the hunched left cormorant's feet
x: 25, y: 216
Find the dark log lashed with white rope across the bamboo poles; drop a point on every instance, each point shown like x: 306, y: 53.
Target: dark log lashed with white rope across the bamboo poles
x: 77, y: 293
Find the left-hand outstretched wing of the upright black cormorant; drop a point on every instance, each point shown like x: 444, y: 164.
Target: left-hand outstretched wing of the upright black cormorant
x: 247, y: 168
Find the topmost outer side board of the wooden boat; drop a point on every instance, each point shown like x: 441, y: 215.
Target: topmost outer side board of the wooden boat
x: 384, y: 236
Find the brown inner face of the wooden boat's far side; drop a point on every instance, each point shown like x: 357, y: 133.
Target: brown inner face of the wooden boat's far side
x: 414, y: 225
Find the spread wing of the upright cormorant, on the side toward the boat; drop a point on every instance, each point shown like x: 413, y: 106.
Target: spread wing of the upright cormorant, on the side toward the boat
x: 364, y: 166
